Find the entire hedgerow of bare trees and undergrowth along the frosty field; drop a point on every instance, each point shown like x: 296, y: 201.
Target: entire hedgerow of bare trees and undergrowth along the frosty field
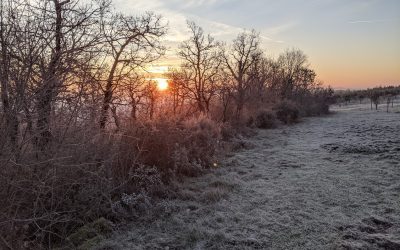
x: 81, y: 126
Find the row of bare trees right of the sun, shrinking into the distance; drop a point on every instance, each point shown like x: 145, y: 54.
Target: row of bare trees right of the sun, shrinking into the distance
x: 238, y: 77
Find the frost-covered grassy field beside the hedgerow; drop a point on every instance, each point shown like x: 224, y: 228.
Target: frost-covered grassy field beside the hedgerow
x: 329, y: 182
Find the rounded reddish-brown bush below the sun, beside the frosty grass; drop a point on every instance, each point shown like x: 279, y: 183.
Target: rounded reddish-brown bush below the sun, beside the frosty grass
x: 173, y: 147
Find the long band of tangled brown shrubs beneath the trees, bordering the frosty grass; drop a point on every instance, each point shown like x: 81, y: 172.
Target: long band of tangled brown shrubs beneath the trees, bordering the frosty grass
x: 83, y: 179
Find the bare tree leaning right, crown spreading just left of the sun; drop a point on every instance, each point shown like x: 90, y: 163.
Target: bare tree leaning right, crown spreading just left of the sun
x: 132, y: 42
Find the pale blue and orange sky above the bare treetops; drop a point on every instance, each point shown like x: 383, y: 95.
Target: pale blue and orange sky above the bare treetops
x: 350, y: 43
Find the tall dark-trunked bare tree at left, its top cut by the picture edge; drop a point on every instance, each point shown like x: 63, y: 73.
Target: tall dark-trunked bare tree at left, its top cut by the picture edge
x: 68, y: 32
